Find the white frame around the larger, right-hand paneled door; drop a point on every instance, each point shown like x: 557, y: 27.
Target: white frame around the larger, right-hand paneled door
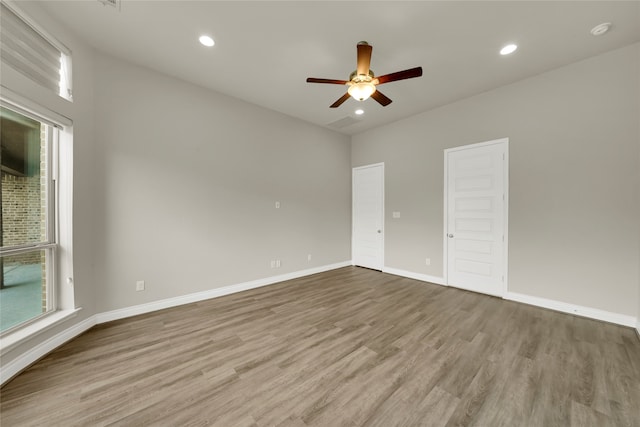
x: 505, y: 255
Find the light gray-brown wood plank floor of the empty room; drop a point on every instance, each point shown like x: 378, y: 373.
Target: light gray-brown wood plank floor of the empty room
x: 350, y: 347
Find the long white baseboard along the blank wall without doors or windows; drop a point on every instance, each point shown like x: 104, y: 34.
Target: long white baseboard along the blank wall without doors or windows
x: 212, y: 293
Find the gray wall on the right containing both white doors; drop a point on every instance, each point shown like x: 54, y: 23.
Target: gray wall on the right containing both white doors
x: 574, y: 172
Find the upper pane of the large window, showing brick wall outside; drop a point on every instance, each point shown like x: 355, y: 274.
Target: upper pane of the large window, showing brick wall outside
x: 24, y: 180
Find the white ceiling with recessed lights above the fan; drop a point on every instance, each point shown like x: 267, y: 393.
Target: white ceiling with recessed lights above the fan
x: 266, y: 49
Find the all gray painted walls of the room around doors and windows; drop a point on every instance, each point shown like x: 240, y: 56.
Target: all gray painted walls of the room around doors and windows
x: 176, y: 185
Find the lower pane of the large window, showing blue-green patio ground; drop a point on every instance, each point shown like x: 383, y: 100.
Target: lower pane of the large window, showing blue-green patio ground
x: 23, y: 288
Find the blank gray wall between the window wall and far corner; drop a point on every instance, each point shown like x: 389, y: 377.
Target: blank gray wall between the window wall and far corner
x: 187, y: 182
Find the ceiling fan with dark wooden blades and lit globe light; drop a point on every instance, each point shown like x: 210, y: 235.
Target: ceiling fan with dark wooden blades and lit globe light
x: 362, y: 82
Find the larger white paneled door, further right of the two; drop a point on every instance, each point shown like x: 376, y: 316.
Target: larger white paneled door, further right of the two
x: 476, y: 182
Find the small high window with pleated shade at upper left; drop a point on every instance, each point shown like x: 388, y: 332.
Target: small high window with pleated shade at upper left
x: 29, y: 49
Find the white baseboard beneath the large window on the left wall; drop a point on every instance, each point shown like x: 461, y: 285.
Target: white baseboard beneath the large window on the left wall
x: 14, y: 367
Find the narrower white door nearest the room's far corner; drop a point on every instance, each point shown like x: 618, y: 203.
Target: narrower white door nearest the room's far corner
x: 368, y: 216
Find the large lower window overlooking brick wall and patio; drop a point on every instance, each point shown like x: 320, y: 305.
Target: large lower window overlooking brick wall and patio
x: 28, y: 238
